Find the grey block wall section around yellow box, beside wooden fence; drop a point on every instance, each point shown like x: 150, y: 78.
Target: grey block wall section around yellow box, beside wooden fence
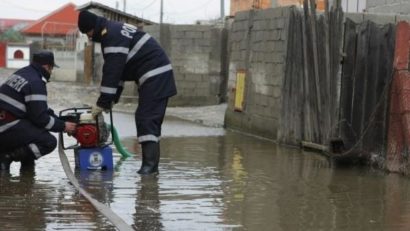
x: 258, y: 45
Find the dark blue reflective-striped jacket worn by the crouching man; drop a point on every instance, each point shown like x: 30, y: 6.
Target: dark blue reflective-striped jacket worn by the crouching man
x: 24, y: 94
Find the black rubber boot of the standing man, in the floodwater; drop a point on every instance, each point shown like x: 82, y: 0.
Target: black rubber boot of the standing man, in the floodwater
x: 150, y: 158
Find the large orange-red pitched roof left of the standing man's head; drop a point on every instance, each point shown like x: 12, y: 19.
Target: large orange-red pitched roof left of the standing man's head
x: 59, y: 22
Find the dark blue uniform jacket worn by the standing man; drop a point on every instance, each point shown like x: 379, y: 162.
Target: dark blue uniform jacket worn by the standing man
x: 132, y: 55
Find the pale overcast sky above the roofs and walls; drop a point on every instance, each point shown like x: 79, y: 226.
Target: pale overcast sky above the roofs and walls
x: 175, y: 11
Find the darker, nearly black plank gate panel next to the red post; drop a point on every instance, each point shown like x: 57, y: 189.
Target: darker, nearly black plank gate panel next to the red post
x: 365, y: 82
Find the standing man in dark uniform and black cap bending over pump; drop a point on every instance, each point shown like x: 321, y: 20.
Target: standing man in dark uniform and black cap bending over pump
x: 133, y: 55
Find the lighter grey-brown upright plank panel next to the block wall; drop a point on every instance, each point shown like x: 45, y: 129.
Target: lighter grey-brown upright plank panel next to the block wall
x: 310, y: 89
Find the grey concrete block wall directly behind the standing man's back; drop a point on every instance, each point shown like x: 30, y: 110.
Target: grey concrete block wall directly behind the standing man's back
x: 197, y: 55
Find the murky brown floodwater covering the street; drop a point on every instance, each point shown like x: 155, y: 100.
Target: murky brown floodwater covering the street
x: 210, y: 179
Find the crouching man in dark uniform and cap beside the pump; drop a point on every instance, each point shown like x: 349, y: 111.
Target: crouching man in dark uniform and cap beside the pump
x: 25, y: 119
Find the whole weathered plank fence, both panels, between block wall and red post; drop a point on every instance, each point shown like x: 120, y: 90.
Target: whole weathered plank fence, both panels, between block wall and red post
x: 344, y: 113
